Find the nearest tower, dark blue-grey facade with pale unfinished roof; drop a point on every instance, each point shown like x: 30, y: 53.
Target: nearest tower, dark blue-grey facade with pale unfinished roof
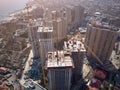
x: 59, y: 67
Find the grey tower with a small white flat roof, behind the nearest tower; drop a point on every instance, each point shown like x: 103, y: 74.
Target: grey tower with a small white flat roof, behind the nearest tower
x: 45, y: 35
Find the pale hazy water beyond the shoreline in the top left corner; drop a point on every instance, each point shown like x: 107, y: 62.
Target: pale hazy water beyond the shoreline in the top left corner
x: 8, y: 6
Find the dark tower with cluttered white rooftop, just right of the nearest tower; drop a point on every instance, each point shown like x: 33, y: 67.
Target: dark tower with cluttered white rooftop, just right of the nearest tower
x: 77, y: 50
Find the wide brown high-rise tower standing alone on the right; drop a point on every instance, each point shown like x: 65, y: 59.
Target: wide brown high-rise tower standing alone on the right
x: 101, y: 40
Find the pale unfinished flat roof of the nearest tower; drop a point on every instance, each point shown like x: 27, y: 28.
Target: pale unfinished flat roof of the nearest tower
x: 62, y: 60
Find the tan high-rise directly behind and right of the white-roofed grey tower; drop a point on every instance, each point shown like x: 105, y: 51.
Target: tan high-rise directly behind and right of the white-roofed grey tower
x: 59, y: 26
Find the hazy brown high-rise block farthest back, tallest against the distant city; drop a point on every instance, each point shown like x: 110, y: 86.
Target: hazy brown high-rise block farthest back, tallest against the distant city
x: 74, y: 14
